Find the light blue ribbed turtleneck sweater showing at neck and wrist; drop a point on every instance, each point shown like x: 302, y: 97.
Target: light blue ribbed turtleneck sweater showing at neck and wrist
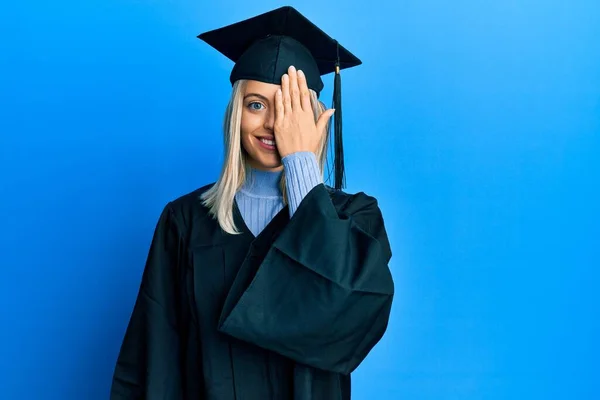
x: 260, y: 198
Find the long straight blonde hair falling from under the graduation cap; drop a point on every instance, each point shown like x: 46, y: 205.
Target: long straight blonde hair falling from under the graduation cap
x: 220, y: 197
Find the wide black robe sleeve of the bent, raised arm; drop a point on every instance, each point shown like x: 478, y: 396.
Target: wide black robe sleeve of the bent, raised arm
x: 323, y: 293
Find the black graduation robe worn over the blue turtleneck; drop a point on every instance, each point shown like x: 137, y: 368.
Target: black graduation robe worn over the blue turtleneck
x: 288, y: 314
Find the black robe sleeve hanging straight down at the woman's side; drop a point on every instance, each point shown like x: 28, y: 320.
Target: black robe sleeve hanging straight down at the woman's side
x: 148, y: 365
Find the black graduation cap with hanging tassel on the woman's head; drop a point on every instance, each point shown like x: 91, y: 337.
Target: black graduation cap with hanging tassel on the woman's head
x: 264, y: 46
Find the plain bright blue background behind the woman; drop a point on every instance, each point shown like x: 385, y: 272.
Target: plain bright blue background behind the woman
x: 475, y: 123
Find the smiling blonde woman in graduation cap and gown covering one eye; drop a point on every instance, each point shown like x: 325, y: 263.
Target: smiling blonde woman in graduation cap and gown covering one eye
x: 266, y: 284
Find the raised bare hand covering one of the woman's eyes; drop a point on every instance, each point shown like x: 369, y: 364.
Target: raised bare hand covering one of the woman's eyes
x: 295, y: 127
